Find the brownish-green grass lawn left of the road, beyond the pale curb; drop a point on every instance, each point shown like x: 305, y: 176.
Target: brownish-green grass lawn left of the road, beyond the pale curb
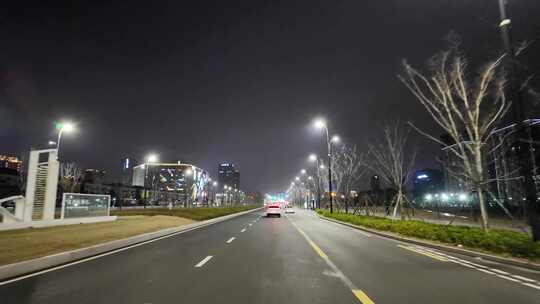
x: 24, y: 244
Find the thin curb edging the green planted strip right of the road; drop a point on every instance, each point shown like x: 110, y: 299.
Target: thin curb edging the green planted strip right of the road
x: 471, y: 253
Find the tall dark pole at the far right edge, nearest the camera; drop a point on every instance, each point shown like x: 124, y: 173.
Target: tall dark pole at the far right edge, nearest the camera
x: 524, y: 148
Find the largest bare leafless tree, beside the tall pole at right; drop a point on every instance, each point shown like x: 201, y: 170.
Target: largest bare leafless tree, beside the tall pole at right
x: 467, y: 109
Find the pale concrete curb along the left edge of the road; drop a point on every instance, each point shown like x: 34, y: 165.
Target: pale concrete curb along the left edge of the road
x: 34, y: 265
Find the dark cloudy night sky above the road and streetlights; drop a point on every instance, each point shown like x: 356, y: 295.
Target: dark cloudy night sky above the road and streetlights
x: 238, y: 81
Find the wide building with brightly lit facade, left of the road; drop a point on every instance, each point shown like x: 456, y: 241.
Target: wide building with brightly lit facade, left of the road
x: 175, y: 183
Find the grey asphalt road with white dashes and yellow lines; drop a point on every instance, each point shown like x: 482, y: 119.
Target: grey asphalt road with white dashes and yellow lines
x: 294, y: 259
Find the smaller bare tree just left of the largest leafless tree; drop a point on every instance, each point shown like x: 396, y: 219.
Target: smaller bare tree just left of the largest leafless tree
x: 391, y: 162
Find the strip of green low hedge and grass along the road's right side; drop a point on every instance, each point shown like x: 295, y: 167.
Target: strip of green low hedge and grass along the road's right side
x: 502, y: 242
